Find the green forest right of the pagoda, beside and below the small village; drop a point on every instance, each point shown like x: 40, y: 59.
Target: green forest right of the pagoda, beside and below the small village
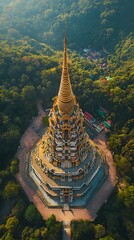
x: 117, y: 96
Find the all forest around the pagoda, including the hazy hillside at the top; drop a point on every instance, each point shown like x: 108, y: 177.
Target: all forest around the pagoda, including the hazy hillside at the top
x: 30, y: 71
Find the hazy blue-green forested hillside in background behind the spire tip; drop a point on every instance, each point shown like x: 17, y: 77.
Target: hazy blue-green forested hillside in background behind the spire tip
x: 95, y: 23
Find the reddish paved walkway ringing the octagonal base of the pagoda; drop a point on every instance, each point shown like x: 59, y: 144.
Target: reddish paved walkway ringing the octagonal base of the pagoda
x: 29, y: 138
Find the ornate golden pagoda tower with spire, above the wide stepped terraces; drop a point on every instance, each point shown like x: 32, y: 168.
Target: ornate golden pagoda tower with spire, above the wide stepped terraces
x: 66, y: 142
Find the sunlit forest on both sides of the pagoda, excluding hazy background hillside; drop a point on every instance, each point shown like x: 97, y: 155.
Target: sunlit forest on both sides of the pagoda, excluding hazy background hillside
x: 30, y: 71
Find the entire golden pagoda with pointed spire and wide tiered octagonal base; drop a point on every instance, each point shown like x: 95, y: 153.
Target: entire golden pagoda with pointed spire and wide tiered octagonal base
x: 65, y: 165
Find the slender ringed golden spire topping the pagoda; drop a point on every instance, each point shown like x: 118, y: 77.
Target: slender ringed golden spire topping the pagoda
x: 65, y: 94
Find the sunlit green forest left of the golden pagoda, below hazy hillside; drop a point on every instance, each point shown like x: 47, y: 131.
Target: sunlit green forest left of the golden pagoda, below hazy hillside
x: 28, y: 71
